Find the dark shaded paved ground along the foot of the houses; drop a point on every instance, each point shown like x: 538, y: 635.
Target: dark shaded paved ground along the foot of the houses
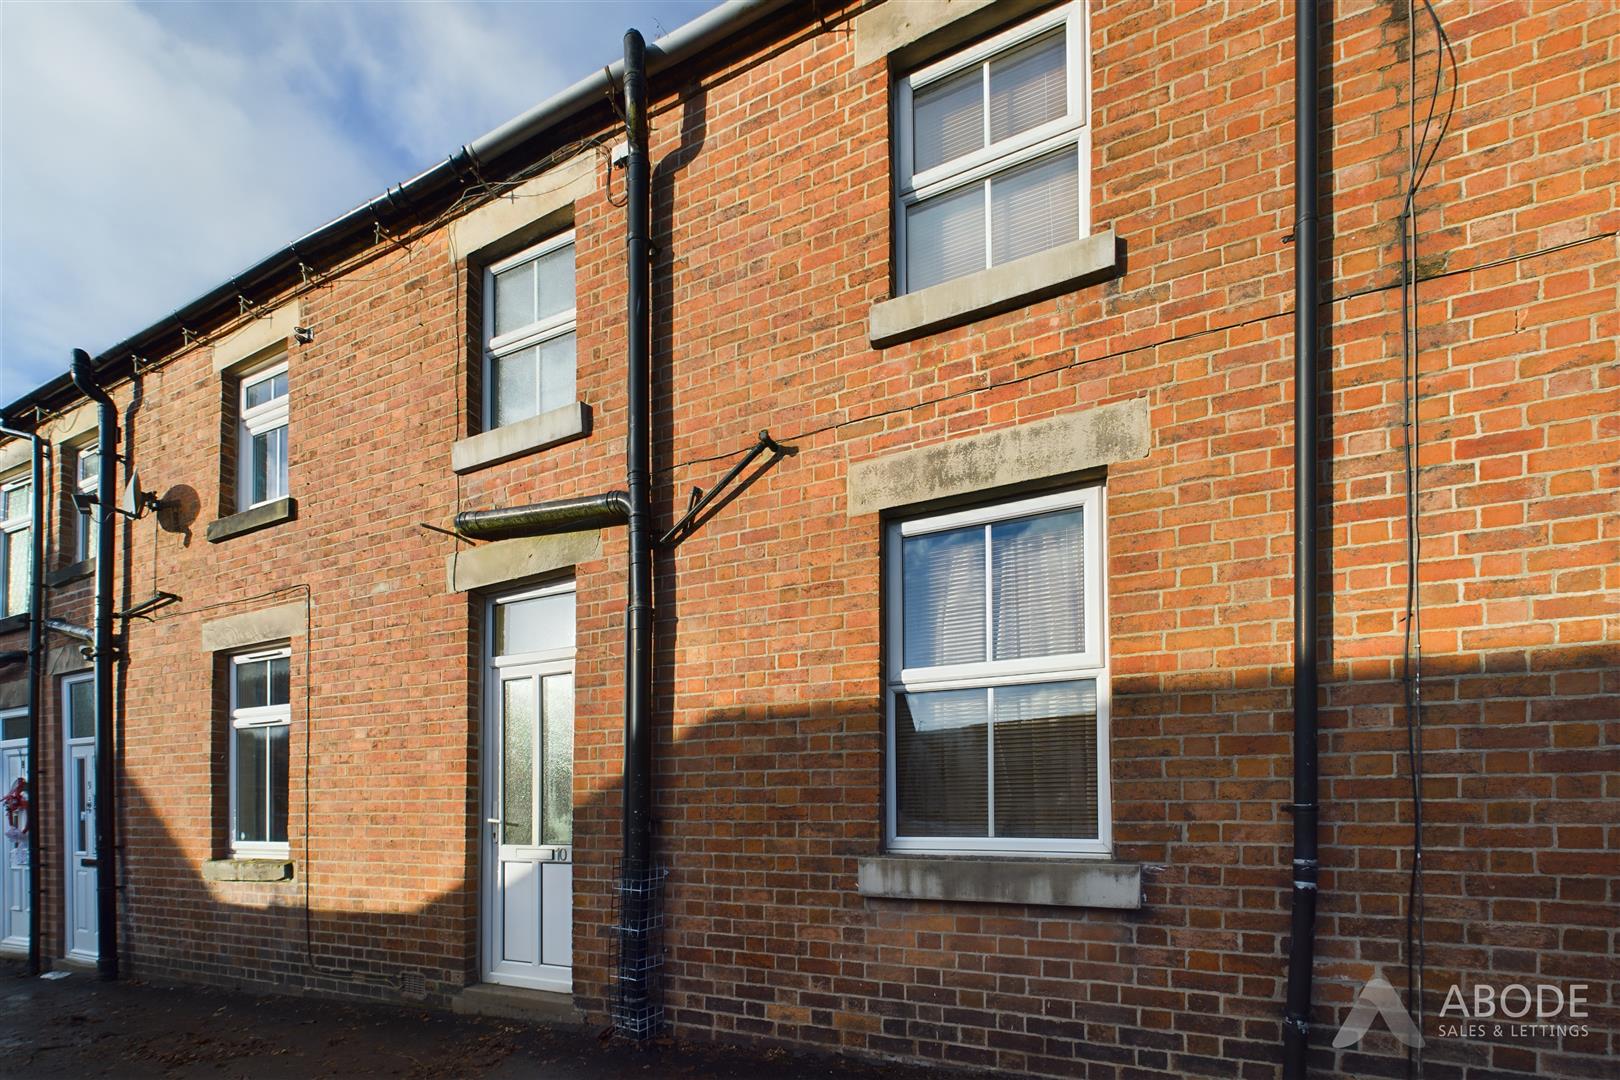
x: 82, y: 1027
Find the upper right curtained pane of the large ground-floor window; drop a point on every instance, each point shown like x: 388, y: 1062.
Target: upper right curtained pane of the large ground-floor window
x: 1039, y: 585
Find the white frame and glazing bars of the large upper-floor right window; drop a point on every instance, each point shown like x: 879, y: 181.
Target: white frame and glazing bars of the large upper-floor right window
x: 1008, y: 155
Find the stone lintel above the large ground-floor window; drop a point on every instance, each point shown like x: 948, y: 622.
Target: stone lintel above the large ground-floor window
x: 1044, y: 449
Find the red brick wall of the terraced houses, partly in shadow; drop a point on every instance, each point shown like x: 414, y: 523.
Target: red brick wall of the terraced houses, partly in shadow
x: 772, y: 215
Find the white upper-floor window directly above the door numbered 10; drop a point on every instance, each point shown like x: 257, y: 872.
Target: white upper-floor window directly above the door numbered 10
x: 529, y: 333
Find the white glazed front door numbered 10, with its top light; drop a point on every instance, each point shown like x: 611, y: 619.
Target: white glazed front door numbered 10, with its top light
x: 529, y: 793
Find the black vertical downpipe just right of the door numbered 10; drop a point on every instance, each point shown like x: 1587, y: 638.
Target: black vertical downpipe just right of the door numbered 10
x: 636, y: 1010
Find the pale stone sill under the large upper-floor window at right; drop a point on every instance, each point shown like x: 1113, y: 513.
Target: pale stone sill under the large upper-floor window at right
x: 991, y: 292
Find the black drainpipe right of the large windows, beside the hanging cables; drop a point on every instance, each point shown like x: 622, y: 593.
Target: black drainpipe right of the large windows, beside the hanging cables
x: 1297, y: 1023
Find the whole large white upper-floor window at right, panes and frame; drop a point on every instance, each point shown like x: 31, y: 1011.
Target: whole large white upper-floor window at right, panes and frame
x: 994, y: 151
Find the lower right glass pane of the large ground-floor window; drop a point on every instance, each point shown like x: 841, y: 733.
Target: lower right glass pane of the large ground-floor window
x: 1047, y: 760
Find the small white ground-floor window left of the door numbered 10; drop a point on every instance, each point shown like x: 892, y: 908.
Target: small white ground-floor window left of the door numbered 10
x: 260, y: 728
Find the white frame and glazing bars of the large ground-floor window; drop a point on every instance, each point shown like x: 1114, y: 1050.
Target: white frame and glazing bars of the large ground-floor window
x: 1093, y: 665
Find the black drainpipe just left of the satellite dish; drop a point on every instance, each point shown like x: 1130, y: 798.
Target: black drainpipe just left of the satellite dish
x: 103, y: 657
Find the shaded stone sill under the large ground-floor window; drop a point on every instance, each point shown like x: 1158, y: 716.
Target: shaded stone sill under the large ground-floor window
x: 1041, y: 882
